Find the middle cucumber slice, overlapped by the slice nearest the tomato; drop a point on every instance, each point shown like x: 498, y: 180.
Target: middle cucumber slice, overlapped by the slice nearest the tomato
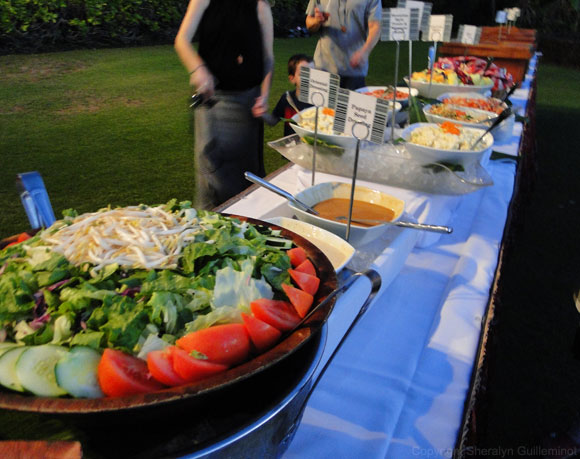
x: 35, y: 369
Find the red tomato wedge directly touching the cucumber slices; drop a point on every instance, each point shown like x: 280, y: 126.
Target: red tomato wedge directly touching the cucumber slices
x: 122, y: 374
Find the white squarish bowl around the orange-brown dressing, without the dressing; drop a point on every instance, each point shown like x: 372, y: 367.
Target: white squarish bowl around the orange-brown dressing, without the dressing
x: 358, y: 235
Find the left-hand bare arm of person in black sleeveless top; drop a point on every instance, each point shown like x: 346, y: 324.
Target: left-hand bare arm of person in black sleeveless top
x: 200, y: 76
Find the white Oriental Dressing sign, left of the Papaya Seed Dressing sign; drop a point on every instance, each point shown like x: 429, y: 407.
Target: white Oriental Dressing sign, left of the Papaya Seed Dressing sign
x: 318, y: 87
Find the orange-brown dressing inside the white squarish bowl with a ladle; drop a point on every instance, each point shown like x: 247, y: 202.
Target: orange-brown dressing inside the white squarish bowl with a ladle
x: 336, y: 207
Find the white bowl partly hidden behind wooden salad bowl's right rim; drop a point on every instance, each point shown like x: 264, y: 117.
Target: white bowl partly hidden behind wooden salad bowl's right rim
x: 337, y: 250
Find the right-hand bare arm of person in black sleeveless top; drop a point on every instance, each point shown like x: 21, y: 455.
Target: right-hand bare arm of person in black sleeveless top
x: 260, y: 107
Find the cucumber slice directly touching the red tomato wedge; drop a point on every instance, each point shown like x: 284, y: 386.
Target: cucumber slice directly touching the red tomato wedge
x: 76, y: 372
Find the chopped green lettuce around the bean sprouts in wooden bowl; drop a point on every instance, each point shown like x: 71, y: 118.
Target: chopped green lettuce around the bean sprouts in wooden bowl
x: 228, y: 264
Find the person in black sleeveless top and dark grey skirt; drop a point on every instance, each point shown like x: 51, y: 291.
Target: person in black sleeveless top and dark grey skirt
x: 231, y: 71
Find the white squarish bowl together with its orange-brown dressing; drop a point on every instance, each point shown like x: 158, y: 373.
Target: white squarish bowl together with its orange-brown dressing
x: 332, y: 201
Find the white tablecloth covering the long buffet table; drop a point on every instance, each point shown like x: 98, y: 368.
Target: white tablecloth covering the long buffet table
x: 399, y: 385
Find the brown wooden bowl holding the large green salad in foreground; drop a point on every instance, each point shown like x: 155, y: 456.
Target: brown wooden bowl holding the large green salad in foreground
x: 174, y: 400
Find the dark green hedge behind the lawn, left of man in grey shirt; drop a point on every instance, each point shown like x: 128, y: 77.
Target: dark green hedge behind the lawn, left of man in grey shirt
x: 45, y: 25
